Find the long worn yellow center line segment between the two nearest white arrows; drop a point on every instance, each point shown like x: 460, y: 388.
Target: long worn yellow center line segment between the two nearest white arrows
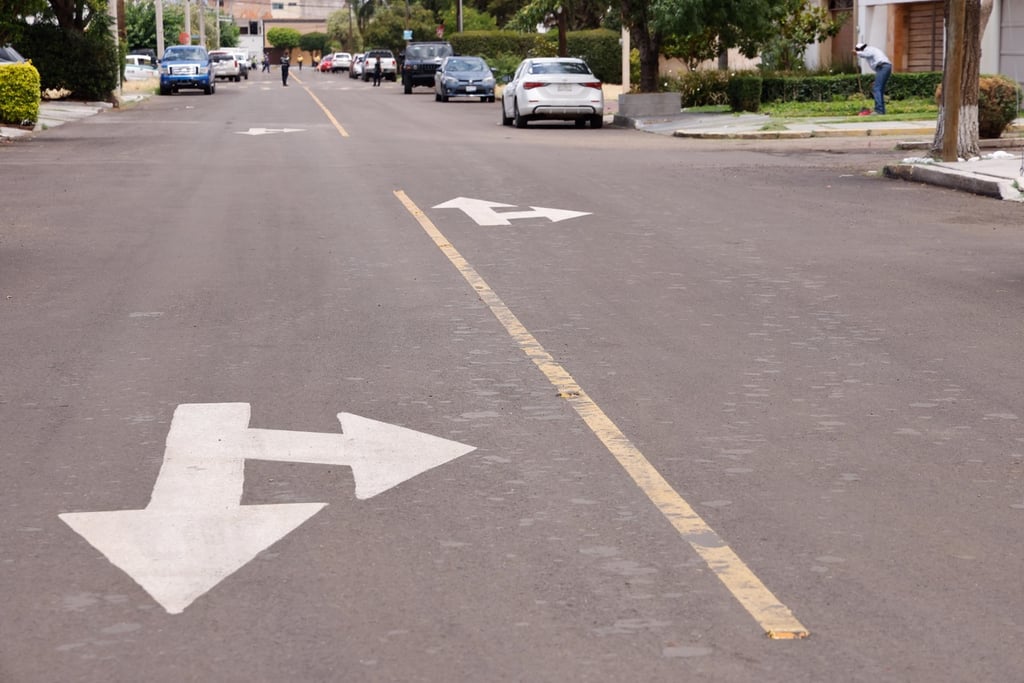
x: 775, y: 618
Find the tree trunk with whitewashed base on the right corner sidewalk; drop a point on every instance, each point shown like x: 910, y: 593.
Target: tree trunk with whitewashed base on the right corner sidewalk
x: 968, y: 139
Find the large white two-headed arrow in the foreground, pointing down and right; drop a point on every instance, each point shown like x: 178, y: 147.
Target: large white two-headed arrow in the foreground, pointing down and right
x: 195, y: 533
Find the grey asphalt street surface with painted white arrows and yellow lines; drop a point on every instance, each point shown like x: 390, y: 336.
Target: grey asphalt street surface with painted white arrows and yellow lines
x: 332, y: 383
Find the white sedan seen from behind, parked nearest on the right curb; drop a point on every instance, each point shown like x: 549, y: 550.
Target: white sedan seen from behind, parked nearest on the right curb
x: 554, y: 89
